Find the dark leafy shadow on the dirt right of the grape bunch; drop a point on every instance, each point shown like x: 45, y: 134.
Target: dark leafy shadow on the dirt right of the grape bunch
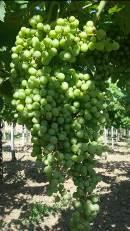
x: 115, y: 205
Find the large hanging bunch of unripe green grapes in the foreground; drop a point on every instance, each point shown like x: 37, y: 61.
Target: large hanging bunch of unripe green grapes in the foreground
x: 61, y: 105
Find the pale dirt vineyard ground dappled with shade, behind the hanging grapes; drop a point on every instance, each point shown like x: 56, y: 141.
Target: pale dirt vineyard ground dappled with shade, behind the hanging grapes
x: 23, y: 185
